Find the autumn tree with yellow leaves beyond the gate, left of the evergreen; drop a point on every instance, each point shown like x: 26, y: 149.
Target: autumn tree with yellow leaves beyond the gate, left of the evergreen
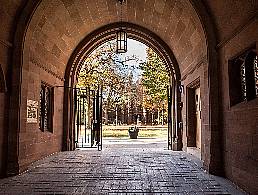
x: 110, y: 70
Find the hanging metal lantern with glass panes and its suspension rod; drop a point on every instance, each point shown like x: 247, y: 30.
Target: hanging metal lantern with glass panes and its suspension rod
x: 121, y: 34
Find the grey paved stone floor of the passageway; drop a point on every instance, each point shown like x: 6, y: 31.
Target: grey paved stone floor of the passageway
x: 118, y: 169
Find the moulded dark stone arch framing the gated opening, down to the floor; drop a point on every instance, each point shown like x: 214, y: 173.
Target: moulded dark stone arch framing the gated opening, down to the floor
x: 100, y: 36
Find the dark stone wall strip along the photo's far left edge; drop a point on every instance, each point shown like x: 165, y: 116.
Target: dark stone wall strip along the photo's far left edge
x: 9, y: 11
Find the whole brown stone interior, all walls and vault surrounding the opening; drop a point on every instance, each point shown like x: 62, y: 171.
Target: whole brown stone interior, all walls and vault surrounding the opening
x: 43, y: 38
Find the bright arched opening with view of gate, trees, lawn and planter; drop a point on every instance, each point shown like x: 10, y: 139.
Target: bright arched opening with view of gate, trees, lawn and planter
x: 132, y: 93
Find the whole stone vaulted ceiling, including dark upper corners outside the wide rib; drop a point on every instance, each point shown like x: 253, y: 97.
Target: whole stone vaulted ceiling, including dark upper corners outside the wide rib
x: 57, y: 26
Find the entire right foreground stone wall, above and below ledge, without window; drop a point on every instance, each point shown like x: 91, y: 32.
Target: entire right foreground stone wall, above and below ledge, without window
x: 237, y: 25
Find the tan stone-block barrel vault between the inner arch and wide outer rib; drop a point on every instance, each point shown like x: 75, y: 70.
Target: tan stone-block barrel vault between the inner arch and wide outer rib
x: 58, y: 26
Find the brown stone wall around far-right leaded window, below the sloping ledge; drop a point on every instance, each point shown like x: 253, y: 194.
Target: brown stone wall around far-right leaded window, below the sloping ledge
x: 240, y: 122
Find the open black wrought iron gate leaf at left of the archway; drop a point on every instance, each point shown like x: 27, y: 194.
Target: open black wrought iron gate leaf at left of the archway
x: 88, y: 117
